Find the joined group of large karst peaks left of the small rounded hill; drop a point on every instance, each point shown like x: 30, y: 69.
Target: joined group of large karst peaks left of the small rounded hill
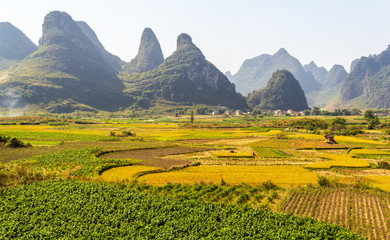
x: 71, y: 70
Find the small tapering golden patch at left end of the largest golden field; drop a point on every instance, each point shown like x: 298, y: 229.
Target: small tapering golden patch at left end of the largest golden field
x: 121, y: 174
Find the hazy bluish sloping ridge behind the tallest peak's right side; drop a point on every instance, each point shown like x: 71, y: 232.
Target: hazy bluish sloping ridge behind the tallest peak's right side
x: 113, y: 61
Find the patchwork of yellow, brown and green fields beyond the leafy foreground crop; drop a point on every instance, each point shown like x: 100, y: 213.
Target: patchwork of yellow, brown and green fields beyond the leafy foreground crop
x: 213, y: 153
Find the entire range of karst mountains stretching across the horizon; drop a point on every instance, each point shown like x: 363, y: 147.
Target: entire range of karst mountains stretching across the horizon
x: 71, y: 70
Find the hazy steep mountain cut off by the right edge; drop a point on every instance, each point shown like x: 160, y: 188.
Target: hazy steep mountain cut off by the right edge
x: 368, y: 85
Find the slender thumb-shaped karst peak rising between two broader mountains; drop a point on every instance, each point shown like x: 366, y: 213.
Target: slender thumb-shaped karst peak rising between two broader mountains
x: 149, y: 54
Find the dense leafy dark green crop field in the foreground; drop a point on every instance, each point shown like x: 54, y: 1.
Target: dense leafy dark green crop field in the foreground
x: 70, y: 209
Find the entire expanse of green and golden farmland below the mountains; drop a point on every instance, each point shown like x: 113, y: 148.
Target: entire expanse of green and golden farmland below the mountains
x: 234, y: 175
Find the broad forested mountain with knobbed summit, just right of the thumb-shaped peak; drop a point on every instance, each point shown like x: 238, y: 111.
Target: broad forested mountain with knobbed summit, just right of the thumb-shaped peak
x: 186, y: 76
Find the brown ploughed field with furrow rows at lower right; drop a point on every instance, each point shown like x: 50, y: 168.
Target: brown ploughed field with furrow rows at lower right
x: 363, y: 211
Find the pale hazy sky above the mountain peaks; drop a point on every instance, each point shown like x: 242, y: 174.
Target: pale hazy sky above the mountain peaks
x: 228, y: 32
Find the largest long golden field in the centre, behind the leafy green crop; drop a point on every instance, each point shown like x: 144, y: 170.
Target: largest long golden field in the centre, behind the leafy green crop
x: 284, y: 176
